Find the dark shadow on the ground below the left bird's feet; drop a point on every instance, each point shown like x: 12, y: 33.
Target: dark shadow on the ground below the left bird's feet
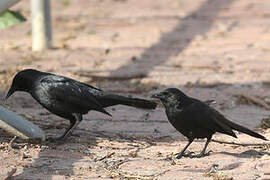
x: 58, y: 158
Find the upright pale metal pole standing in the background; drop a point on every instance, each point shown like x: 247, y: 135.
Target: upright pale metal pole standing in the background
x: 41, y: 25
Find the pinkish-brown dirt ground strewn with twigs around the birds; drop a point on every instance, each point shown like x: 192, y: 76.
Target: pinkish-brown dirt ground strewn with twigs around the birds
x: 211, y: 49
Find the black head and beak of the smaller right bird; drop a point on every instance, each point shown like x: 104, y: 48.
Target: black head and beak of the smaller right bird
x: 171, y: 97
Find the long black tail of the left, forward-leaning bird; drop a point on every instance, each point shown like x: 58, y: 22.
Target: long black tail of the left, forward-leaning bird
x: 112, y: 99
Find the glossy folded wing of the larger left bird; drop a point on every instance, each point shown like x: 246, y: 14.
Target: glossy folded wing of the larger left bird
x: 71, y: 92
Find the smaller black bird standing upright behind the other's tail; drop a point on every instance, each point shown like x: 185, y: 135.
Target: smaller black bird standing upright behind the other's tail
x: 196, y: 119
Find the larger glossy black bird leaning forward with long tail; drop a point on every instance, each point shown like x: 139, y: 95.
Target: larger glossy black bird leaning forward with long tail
x: 69, y: 98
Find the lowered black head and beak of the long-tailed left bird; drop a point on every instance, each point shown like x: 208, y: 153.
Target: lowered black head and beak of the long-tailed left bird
x: 21, y: 82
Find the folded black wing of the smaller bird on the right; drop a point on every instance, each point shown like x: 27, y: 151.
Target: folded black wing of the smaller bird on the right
x: 208, y: 118
